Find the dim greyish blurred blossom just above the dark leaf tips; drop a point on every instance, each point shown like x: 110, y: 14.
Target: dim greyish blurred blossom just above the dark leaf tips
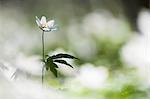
x: 78, y: 44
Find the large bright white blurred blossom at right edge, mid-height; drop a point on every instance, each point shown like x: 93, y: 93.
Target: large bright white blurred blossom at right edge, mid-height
x: 136, y: 53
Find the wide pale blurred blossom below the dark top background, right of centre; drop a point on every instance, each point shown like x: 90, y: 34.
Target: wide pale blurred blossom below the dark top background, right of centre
x: 104, y: 25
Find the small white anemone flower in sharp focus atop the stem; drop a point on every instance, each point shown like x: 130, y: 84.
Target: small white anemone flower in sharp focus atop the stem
x: 46, y: 26
